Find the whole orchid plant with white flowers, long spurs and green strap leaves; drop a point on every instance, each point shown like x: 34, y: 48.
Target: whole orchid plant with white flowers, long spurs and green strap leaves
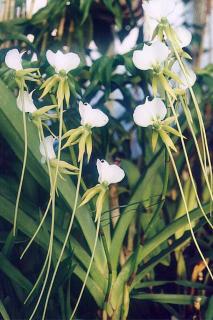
x: 110, y: 273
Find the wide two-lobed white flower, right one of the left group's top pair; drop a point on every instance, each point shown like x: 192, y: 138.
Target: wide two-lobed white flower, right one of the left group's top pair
x: 63, y: 61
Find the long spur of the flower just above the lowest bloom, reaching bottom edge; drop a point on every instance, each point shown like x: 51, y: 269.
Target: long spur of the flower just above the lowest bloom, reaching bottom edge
x: 66, y: 239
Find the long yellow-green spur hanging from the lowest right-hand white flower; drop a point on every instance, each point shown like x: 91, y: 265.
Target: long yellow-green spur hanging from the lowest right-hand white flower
x: 187, y: 212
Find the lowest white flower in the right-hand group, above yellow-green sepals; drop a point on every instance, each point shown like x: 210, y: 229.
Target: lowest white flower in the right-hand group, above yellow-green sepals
x: 150, y: 112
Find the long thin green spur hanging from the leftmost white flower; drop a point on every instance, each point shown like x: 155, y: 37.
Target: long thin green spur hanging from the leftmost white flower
x: 24, y: 161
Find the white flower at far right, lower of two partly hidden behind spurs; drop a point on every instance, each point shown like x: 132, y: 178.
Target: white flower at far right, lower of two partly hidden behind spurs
x: 191, y: 76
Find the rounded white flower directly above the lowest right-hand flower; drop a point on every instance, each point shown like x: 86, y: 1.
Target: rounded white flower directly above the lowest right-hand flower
x: 151, y: 57
